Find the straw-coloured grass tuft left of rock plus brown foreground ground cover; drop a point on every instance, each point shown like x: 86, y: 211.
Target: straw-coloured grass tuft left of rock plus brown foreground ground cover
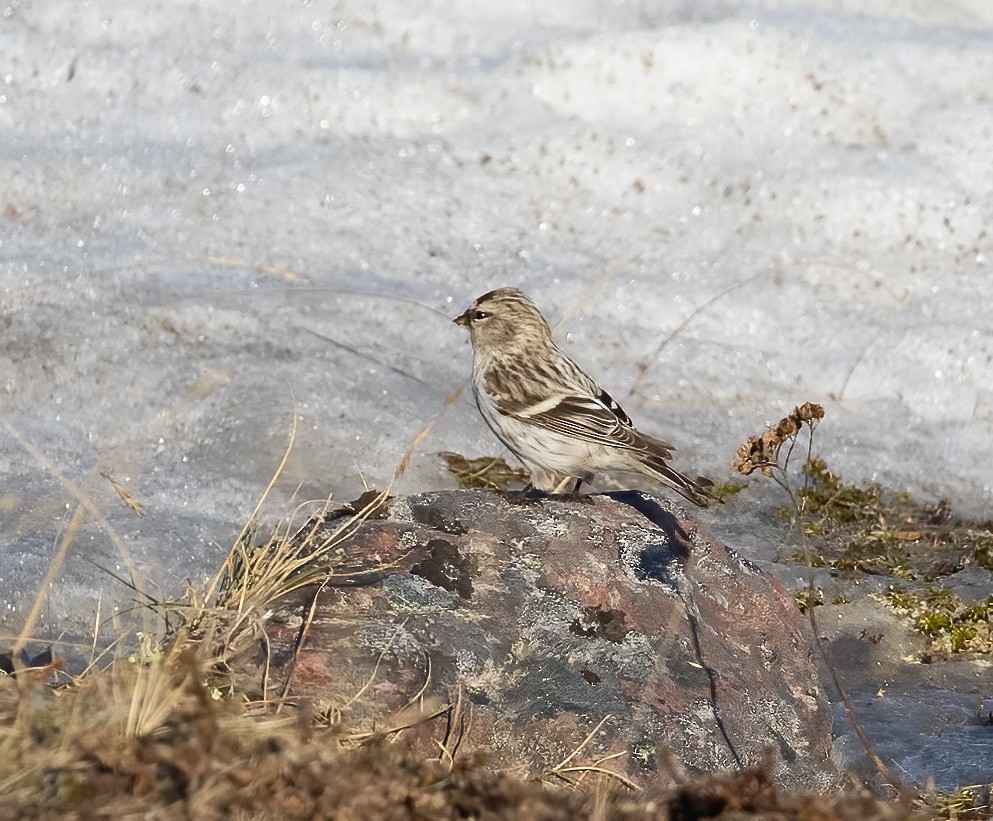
x: 169, y: 731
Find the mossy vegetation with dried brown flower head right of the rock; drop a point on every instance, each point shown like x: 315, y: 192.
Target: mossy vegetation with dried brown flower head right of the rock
x: 853, y: 529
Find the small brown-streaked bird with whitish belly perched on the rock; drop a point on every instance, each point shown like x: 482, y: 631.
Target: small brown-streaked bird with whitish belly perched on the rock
x: 548, y: 411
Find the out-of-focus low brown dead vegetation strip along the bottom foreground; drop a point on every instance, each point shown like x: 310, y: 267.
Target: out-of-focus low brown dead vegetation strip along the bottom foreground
x: 152, y: 739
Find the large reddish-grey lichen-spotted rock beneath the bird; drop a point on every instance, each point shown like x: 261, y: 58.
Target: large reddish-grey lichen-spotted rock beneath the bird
x: 538, y: 621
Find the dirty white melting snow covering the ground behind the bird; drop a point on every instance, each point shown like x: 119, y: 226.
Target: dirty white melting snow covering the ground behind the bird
x: 215, y: 214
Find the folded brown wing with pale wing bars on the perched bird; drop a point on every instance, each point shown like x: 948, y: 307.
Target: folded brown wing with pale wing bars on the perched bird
x: 574, y: 405
